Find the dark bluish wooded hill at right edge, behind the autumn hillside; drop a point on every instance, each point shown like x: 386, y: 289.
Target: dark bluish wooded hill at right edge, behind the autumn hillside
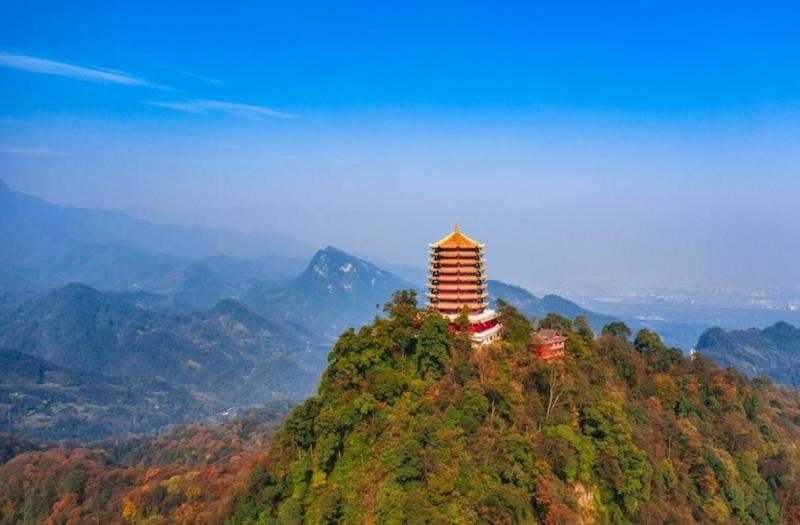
x: 773, y: 351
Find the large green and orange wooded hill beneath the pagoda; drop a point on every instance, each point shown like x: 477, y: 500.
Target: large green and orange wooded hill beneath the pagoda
x: 412, y: 425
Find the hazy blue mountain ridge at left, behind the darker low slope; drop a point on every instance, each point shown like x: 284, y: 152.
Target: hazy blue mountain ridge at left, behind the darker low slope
x: 227, y: 355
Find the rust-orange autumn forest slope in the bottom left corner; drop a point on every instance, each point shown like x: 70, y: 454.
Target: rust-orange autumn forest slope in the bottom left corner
x: 184, y: 476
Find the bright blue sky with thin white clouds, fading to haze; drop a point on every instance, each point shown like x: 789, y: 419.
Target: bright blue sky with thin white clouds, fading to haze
x: 607, y: 144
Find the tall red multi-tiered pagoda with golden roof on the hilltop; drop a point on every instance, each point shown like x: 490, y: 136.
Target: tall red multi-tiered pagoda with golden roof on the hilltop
x: 457, y: 281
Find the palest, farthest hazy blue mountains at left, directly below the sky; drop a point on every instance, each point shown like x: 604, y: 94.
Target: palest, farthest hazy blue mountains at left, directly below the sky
x: 46, y: 245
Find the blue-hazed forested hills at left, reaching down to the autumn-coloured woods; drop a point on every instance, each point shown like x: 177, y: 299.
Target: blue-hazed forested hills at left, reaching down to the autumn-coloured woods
x: 85, y: 364
